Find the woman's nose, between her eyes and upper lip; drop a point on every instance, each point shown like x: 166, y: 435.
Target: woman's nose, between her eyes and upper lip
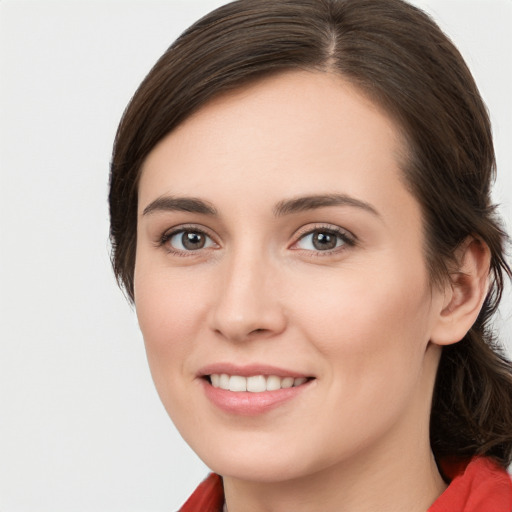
x: 247, y: 304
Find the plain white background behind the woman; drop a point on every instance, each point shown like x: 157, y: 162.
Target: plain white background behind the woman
x: 81, y: 427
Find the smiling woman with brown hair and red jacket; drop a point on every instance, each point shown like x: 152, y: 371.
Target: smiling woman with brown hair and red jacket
x: 300, y: 212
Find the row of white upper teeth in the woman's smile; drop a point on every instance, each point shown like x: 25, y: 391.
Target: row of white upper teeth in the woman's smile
x: 254, y: 384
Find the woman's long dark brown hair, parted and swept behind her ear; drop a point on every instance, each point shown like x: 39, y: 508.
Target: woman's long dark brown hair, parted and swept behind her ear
x: 399, y: 57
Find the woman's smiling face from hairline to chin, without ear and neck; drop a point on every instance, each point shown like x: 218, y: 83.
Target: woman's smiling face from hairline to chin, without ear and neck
x: 277, y: 244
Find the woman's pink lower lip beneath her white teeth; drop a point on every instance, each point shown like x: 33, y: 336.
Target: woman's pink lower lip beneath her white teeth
x: 245, y: 403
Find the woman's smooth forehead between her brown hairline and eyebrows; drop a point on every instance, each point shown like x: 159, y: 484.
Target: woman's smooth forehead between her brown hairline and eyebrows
x: 284, y: 134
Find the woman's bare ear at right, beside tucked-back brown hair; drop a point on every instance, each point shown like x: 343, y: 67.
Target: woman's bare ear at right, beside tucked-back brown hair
x: 464, y: 294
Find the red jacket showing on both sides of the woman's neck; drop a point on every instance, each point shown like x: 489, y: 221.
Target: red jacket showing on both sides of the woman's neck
x: 480, y: 486
